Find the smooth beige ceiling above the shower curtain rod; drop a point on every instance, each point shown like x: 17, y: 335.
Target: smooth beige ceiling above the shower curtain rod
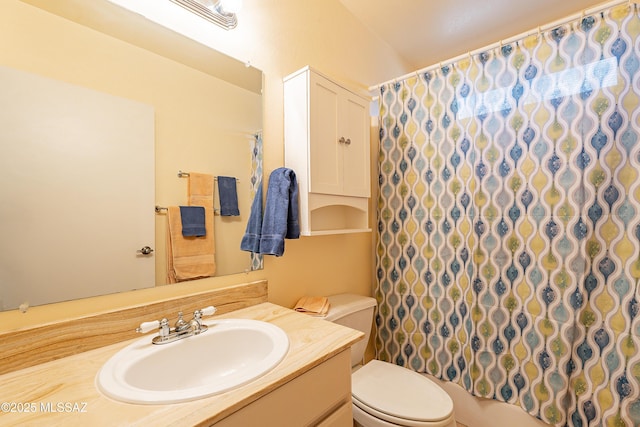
x: 425, y: 32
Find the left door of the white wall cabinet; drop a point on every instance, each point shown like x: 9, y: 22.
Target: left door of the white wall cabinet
x: 325, y: 159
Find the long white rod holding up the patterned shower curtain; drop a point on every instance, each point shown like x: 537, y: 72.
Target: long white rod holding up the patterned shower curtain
x: 501, y: 43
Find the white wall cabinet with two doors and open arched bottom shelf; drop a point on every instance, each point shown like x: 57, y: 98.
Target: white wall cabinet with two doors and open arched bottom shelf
x: 327, y: 145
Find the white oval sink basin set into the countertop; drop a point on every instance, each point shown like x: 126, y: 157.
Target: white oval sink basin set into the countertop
x: 231, y: 353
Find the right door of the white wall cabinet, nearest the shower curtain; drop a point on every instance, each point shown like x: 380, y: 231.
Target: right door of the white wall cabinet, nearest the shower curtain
x: 354, y: 127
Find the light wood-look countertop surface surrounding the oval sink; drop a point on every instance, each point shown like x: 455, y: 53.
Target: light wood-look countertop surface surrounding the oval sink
x: 63, y: 392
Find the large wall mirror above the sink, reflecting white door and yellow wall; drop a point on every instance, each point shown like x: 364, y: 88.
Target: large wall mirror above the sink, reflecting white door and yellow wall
x: 203, y: 111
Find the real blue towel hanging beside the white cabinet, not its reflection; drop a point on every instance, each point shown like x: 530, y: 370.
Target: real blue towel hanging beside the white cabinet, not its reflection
x: 280, y: 219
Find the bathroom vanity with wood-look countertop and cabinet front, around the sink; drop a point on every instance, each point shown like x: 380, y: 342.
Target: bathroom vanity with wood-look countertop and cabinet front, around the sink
x: 311, y: 386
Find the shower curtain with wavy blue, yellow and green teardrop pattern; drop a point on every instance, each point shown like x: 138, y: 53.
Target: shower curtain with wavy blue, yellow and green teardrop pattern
x: 509, y: 222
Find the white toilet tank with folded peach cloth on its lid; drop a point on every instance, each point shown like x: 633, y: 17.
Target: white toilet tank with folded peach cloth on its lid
x: 355, y: 312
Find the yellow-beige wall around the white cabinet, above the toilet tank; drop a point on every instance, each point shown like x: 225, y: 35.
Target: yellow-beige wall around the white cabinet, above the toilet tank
x: 280, y: 37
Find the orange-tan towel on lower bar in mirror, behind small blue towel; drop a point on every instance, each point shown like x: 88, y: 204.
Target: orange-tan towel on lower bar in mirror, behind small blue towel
x: 189, y: 257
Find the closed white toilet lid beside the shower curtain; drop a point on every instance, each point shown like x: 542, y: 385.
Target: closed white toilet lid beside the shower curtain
x: 400, y: 393
